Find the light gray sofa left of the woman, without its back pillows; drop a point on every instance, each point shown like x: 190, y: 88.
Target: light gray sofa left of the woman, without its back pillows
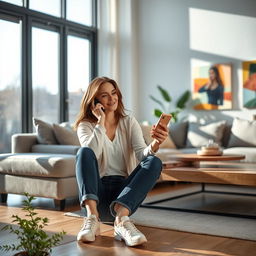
x: 39, y: 169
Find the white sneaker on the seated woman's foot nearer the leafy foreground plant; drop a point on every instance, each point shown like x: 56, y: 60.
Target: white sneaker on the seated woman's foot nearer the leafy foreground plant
x: 89, y: 230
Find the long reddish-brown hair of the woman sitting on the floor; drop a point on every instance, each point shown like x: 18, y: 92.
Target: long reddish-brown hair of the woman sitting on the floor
x: 85, y: 113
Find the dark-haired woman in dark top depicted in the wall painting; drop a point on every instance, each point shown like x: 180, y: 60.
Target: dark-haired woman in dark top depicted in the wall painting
x: 214, y: 88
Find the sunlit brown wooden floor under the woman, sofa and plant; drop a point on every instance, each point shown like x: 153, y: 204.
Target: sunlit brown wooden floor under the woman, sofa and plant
x: 160, y: 242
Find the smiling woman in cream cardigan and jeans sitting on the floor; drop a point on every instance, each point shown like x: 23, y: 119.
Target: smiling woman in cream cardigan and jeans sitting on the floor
x: 110, y: 186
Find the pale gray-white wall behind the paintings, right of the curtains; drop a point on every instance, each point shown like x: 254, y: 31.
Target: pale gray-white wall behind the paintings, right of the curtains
x: 173, y: 32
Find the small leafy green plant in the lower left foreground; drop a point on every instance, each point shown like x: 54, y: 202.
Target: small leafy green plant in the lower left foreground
x: 33, y: 240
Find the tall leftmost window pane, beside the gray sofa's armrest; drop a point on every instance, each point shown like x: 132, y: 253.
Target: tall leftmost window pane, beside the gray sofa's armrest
x: 10, y: 81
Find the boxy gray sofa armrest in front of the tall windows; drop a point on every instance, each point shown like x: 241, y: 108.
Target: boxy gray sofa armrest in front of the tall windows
x: 23, y: 142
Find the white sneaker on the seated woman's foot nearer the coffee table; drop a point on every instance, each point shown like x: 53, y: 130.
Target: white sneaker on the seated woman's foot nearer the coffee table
x: 126, y: 231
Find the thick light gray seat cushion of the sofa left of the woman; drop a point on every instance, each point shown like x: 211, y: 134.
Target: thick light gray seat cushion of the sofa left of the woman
x: 38, y: 165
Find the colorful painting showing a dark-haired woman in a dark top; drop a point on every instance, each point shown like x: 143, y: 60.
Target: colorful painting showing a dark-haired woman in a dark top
x: 202, y: 98
